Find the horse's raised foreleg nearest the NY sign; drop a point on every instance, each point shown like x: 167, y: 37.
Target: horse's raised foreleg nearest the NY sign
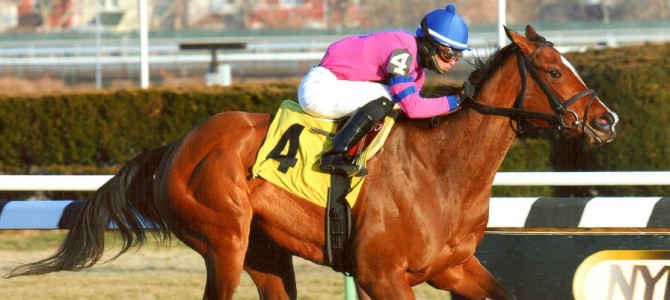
x: 470, y: 280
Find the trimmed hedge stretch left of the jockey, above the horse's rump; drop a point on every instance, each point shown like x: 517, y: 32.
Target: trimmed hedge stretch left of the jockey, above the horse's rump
x: 104, y: 129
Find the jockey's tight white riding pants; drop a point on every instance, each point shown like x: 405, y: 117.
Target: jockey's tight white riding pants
x: 322, y: 95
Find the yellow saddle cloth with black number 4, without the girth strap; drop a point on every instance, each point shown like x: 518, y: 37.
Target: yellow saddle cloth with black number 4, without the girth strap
x: 291, y: 152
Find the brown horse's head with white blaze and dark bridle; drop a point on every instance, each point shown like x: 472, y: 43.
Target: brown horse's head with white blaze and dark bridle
x: 569, y: 106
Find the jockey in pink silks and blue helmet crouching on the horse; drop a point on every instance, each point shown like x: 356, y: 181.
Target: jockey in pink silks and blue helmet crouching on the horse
x: 363, y: 76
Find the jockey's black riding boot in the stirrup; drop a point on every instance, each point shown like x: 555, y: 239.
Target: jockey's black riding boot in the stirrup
x: 336, y: 160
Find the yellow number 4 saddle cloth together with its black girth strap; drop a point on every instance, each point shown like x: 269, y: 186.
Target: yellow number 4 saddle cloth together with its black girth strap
x: 290, y: 157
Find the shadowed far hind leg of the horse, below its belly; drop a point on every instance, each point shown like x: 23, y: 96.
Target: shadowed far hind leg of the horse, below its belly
x: 270, y: 267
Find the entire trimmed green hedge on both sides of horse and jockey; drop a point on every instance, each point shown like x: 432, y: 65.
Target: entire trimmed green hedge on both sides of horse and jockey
x: 93, y: 133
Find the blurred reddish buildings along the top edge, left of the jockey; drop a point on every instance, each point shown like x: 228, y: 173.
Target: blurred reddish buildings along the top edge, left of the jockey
x: 63, y: 15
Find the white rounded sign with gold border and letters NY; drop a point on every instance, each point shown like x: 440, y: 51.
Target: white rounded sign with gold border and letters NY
x: 623, y: 275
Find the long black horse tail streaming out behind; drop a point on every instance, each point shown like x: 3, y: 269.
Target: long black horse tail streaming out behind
x: 126, y: 203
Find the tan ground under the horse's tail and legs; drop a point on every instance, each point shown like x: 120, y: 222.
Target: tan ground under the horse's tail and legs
x: 156, y: 272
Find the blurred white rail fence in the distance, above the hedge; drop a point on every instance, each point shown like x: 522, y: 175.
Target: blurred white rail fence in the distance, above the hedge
x: 274, y: 48
